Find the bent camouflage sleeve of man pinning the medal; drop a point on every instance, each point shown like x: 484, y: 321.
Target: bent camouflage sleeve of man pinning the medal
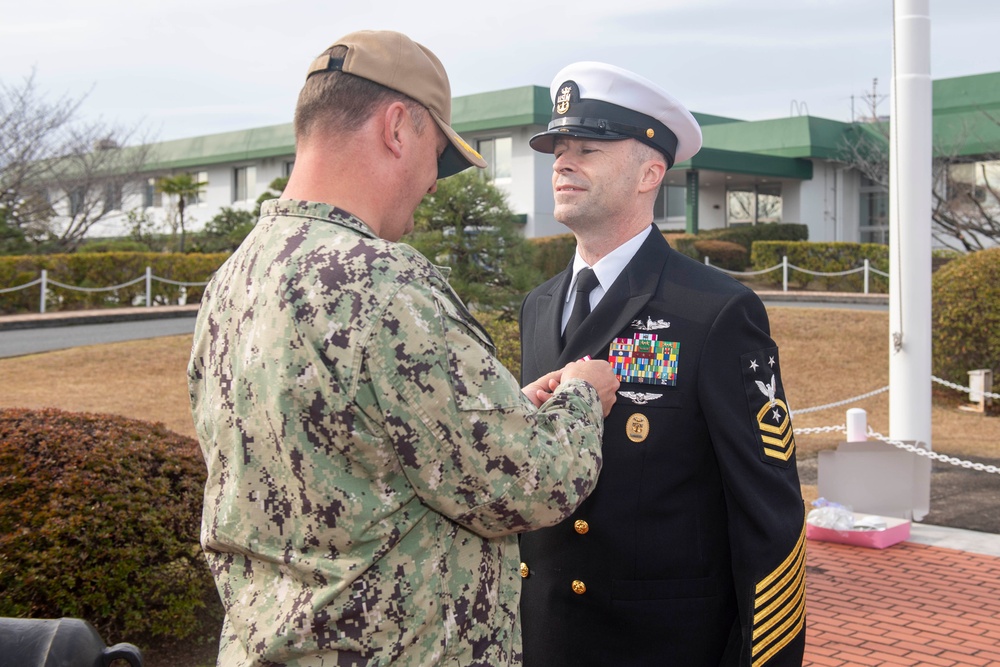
x: 469, y: 441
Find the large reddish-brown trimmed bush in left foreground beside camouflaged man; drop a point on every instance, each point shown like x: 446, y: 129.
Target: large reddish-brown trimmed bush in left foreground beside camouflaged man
x: 99, y: 519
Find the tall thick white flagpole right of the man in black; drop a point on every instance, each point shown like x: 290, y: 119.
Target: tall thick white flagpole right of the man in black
x: 910, y: 225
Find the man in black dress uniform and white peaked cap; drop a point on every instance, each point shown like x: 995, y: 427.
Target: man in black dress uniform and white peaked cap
x: 690, y: 552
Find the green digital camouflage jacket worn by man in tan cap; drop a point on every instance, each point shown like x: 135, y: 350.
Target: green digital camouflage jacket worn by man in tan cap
x: 369, y: 460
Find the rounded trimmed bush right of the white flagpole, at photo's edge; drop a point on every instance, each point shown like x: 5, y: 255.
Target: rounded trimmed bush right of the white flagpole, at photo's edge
x: 965, y: 316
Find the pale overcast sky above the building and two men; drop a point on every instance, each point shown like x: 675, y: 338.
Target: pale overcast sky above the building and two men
x: 191, y: 67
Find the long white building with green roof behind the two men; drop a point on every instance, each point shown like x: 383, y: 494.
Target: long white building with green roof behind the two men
x: 793, y: 170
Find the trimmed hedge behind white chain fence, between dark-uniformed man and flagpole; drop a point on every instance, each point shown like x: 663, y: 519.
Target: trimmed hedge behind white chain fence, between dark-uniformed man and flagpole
x: 822, y: 258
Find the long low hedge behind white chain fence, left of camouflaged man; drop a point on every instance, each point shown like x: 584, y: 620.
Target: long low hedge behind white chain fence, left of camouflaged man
x: 99, y: 270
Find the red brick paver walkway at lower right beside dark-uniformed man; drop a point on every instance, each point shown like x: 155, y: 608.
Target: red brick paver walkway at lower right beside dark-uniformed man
x: 908, y: 604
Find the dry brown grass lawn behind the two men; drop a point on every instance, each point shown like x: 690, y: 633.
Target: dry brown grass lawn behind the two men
x: 827, y: 355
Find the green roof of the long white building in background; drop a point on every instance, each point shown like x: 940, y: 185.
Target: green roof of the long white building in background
x: 966, y: 123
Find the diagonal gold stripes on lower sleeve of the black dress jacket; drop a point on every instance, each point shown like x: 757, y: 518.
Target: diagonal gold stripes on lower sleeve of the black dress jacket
x: 779, y: 605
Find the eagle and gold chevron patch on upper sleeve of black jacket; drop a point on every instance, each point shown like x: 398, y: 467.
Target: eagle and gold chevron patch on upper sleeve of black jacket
x: 768, y: 410
